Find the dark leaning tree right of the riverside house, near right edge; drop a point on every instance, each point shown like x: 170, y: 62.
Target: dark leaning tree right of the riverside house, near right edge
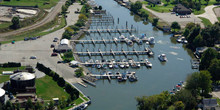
x: 207, y: 57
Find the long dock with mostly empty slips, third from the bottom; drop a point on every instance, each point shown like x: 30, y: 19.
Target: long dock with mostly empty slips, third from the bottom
x: 111, y: 52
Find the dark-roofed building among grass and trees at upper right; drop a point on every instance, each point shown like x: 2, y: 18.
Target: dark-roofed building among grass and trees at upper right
x: 181, y: 10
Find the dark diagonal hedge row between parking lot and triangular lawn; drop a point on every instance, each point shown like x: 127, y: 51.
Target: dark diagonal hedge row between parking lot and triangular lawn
x: 74, y: 93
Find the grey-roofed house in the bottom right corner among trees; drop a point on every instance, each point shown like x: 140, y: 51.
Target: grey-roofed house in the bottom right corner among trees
x: 209, y: 104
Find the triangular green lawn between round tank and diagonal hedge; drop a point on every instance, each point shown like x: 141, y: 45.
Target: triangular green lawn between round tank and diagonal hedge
x: 47, y: 89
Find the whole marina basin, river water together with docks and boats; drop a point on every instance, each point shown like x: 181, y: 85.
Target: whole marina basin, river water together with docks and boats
x: 121, y: 91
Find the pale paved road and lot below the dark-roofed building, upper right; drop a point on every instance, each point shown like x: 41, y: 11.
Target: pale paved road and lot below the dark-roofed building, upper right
x: 169, y: 18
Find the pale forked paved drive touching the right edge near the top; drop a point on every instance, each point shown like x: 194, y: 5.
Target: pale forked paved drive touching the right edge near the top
x: 209, y: 14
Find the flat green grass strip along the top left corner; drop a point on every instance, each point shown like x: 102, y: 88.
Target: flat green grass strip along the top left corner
x: 40, y: 3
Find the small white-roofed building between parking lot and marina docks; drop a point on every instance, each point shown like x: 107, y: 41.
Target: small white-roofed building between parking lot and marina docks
x: 63, y: 46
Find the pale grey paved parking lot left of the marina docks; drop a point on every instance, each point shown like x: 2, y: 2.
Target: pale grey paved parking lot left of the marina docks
x: 22, y: 50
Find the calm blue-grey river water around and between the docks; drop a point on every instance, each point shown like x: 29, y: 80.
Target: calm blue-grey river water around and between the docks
x: 121, y: 96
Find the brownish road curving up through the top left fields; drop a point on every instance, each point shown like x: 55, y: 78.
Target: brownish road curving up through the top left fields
x: 51, y: 15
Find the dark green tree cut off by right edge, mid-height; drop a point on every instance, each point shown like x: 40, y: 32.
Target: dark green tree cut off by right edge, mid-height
x: 214, y: 69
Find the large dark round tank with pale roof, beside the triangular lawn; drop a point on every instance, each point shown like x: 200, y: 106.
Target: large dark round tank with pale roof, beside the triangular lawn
x: 21, y: 80
